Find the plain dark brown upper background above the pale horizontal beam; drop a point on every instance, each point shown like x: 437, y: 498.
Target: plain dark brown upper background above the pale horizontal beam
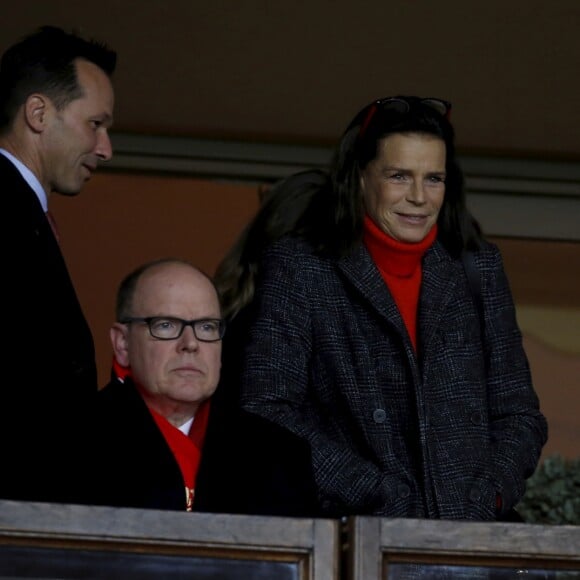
x: 298, y: 71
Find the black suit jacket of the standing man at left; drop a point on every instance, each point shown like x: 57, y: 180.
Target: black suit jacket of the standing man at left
x: 48, y: 357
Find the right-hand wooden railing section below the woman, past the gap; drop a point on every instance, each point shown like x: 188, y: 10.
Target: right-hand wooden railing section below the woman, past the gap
x: 382, y: 548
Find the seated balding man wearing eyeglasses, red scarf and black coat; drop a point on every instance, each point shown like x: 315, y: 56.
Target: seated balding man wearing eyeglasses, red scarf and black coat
x: 162, y: 439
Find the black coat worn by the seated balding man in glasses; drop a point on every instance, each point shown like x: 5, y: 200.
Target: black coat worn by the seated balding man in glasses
x: 248, y: 464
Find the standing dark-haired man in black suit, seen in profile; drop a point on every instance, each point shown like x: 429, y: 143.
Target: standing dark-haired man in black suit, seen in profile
x: 56, y: 107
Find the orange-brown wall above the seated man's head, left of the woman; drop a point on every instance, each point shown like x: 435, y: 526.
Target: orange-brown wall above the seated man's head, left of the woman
x: 120, y: 221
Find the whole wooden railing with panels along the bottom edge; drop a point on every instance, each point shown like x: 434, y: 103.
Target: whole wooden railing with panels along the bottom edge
x: 44, y: 541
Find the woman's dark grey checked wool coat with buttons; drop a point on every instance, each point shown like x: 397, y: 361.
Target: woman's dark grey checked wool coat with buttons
x: 439, y: 434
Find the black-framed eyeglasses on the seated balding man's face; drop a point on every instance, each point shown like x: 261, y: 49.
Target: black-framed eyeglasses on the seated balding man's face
x: 169, y: 328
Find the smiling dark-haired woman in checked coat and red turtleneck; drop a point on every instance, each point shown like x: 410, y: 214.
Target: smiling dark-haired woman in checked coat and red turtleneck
x: 366, y: 339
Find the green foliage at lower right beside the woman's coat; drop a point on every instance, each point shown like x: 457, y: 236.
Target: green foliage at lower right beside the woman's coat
x: 553, y: 493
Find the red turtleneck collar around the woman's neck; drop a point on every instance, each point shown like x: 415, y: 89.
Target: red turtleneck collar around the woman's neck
x: 393, y: 257
